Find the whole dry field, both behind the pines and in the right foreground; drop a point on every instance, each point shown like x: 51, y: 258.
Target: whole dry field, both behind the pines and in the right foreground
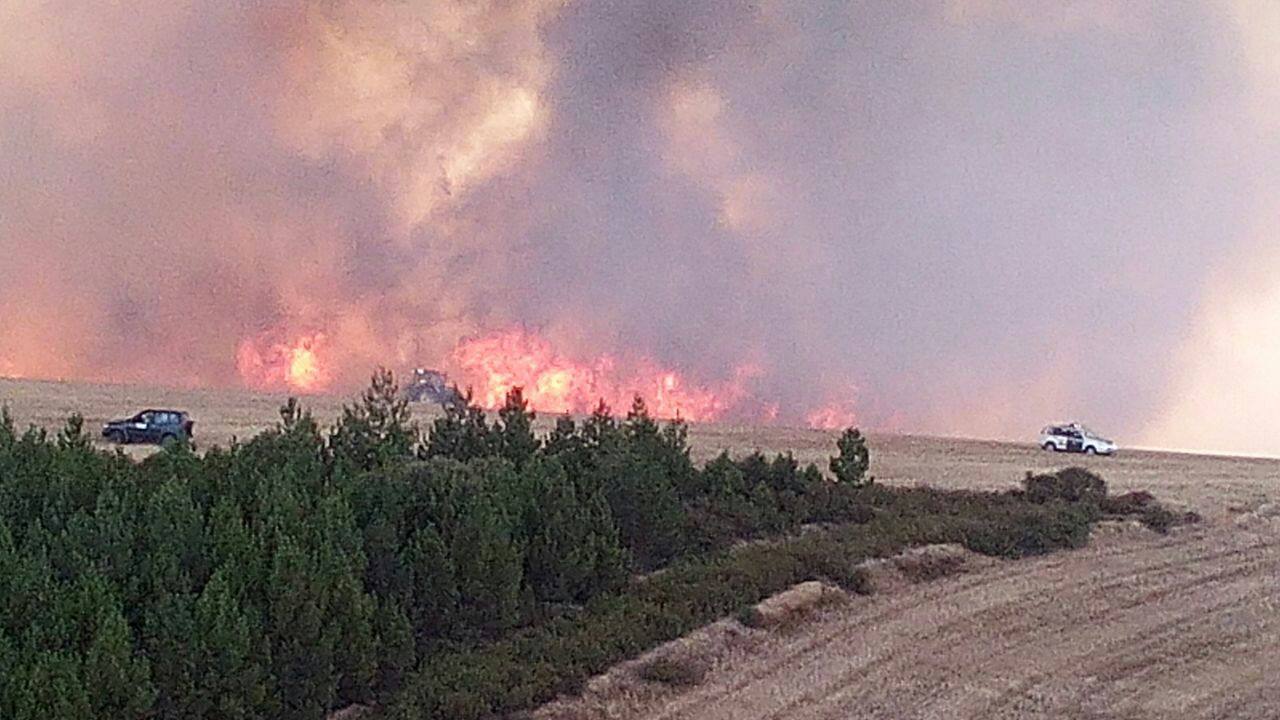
x: 1136, y: 627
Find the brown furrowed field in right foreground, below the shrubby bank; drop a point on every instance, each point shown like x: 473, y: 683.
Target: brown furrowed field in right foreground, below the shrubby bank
x: 1139, y: 627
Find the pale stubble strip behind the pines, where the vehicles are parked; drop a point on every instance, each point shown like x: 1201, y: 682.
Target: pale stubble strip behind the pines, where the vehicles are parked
x: 1210, y: 485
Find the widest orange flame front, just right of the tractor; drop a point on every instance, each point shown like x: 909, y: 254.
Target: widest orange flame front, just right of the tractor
x: 495, y: 364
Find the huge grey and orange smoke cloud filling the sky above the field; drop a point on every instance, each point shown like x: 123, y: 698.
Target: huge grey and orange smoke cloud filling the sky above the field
x: 966, y: 217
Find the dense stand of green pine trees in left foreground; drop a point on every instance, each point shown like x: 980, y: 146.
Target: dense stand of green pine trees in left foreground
x: 308, y: 569
